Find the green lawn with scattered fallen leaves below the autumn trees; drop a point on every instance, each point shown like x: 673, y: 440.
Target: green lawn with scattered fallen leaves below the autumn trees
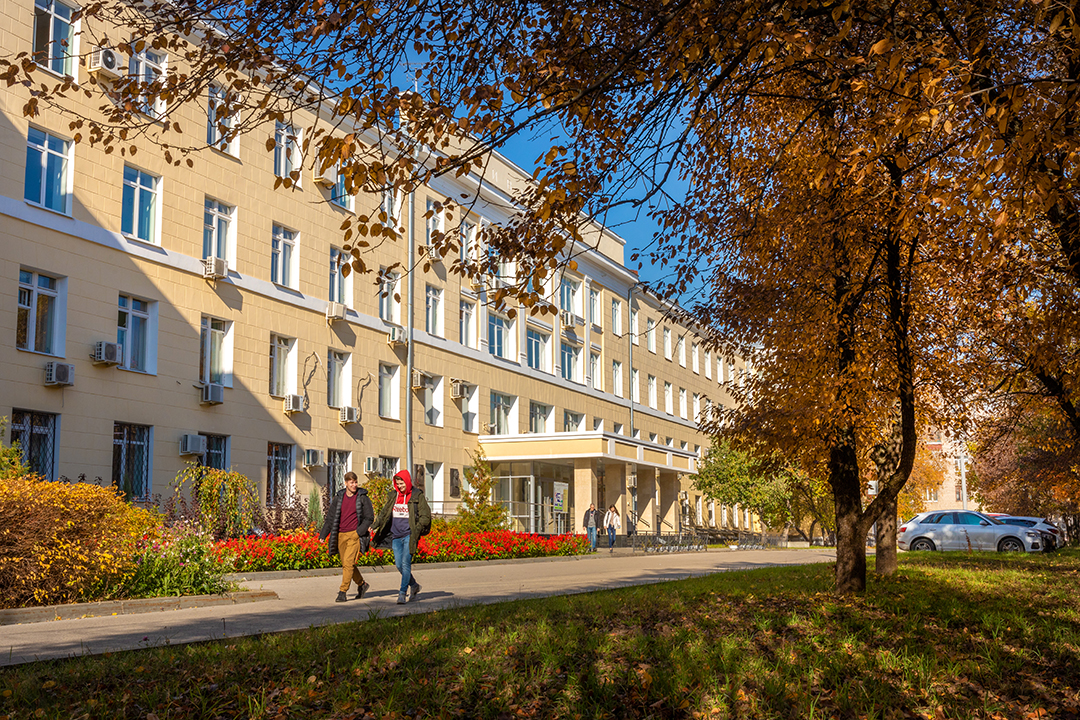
x: 950, y: 636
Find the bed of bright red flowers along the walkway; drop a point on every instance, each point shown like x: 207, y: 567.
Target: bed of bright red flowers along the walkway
x: 301, y: 550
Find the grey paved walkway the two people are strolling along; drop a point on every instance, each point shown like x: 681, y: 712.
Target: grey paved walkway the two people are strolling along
x: 306, y: 603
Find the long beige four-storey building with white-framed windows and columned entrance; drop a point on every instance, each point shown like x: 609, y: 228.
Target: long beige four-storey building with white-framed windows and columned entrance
x: 159, y: 315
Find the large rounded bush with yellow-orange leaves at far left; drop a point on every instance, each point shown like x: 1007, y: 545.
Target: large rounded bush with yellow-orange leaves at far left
x: 65, y: 542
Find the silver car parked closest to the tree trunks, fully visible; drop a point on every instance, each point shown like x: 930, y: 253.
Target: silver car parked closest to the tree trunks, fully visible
x: 962, y: 529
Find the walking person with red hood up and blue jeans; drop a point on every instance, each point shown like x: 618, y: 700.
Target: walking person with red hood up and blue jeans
x: 404, y: 518
